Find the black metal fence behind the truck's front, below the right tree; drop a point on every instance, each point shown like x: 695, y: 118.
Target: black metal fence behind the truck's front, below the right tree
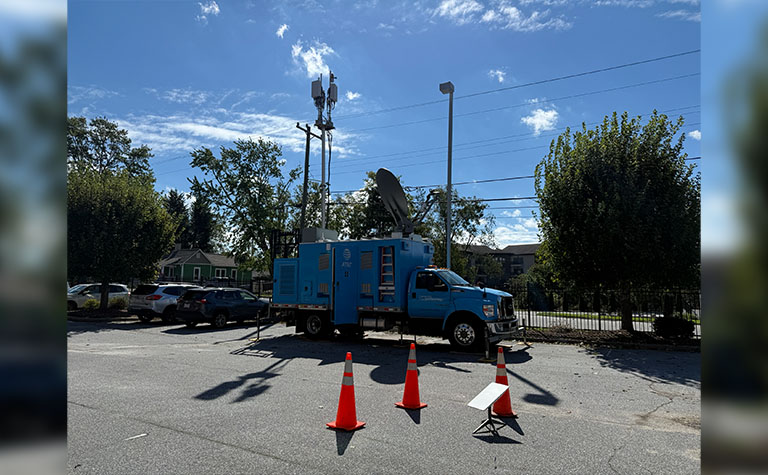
x: 600, y: 310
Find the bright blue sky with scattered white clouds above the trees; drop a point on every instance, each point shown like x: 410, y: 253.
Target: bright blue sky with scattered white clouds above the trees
x: 179, y: 75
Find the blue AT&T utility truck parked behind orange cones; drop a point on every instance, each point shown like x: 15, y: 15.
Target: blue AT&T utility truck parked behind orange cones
x: 379, y: 283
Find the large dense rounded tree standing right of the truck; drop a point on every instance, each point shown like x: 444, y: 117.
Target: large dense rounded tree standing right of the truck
x: 620, y: 208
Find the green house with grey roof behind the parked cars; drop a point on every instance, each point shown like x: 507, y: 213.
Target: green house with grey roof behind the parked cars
x: 194, y: 265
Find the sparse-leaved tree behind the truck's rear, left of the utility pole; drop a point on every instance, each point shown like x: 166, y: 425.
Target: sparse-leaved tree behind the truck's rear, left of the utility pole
x: 247, y: 188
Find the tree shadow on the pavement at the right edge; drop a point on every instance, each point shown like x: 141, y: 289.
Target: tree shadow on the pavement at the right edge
x: 653, y: 365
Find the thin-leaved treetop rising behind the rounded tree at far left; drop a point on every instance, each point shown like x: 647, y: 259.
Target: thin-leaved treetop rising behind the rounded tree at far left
x: 101, y: 146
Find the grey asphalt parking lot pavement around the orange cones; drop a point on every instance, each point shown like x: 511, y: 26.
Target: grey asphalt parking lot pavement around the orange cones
x: 152, y: 398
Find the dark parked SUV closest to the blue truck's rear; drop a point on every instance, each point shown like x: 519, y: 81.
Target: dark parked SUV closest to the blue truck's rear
x: 218, y: 306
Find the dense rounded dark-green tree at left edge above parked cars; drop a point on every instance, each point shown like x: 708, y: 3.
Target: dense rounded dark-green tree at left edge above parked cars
x: 117, y: 227
